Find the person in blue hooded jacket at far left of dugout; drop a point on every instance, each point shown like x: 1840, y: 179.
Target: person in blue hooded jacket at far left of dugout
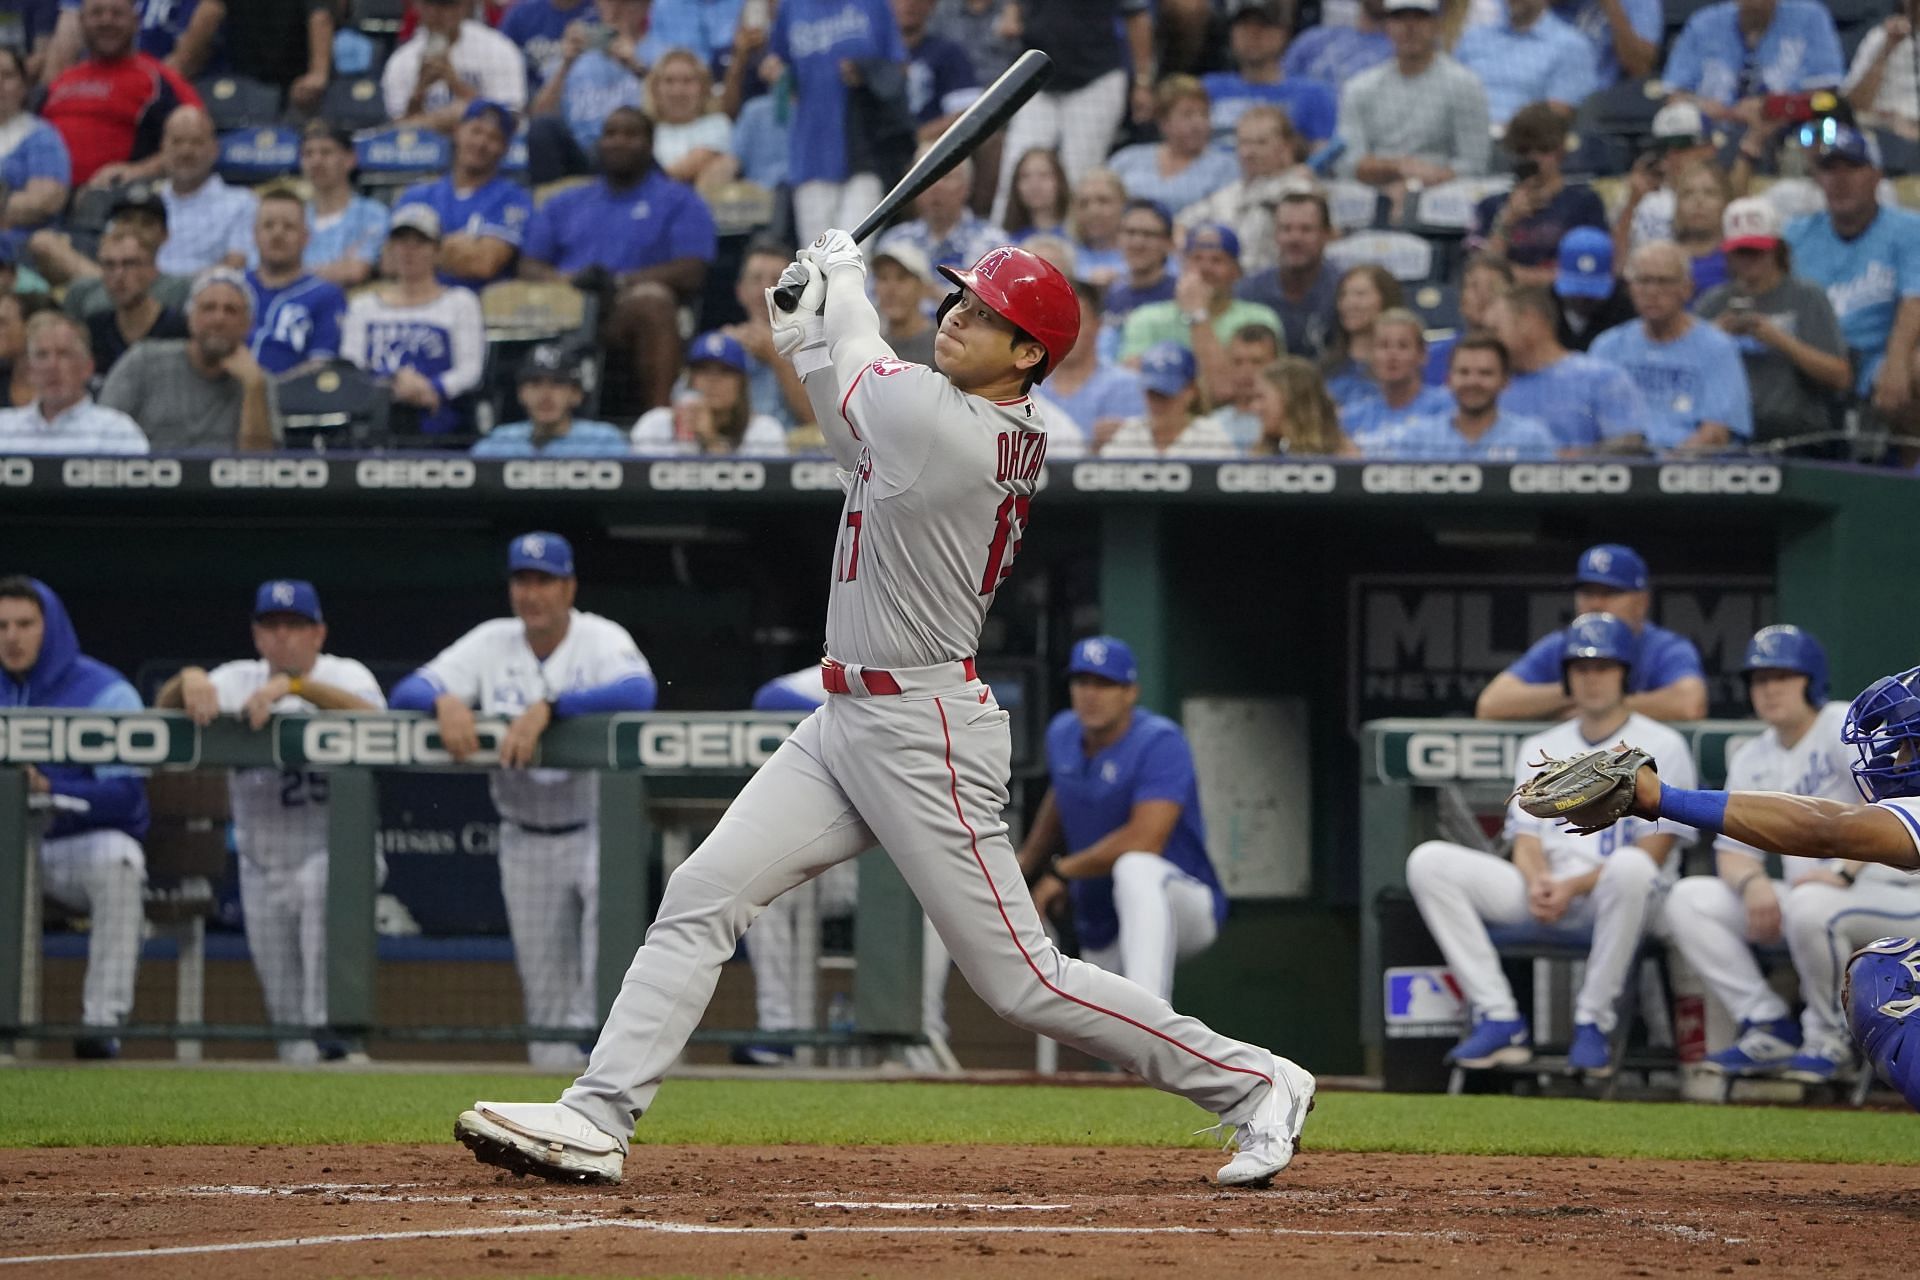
x: 91, y: 857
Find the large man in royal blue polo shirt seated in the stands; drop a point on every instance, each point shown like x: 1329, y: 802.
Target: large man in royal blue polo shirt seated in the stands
x: 640, y: 239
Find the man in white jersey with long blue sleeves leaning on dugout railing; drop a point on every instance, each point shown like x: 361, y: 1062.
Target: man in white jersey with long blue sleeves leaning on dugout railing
x: 546, y: 663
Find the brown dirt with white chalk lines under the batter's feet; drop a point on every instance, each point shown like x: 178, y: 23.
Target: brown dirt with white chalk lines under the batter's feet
x: 934, y: 1212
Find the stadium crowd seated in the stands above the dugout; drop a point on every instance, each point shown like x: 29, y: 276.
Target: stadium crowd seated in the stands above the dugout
x: 1433, y: 229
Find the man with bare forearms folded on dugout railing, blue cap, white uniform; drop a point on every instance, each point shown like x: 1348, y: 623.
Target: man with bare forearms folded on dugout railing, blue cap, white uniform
x: 281, y: 815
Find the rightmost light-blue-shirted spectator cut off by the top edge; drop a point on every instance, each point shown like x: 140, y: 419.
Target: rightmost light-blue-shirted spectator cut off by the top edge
x: 1733, y: 55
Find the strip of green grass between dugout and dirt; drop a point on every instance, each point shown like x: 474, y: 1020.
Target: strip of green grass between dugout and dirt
x: 51, y: 1106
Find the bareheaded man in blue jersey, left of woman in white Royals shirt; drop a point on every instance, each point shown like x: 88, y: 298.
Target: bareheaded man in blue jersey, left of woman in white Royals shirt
x: 297, y: 316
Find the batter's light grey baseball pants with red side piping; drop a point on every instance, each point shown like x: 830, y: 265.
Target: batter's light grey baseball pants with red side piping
x: 924, y: 776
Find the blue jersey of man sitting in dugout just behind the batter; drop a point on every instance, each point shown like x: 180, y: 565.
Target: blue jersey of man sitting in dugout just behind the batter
x: 1095, y: 795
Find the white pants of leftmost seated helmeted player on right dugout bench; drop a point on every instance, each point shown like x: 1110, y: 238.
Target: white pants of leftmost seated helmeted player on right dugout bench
x: 1460, y: 891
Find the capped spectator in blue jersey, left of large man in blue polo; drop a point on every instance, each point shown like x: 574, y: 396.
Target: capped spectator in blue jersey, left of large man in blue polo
x: 483, y: 214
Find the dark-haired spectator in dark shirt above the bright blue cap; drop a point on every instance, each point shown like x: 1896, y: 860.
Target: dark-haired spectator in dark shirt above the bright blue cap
x: 1527, y: 224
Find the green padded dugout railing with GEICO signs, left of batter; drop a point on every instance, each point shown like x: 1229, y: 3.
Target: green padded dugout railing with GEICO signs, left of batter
x: 663, y: 778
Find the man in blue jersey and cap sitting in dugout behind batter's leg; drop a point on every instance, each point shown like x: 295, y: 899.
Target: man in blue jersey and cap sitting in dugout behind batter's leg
x: 1118, y: 832
